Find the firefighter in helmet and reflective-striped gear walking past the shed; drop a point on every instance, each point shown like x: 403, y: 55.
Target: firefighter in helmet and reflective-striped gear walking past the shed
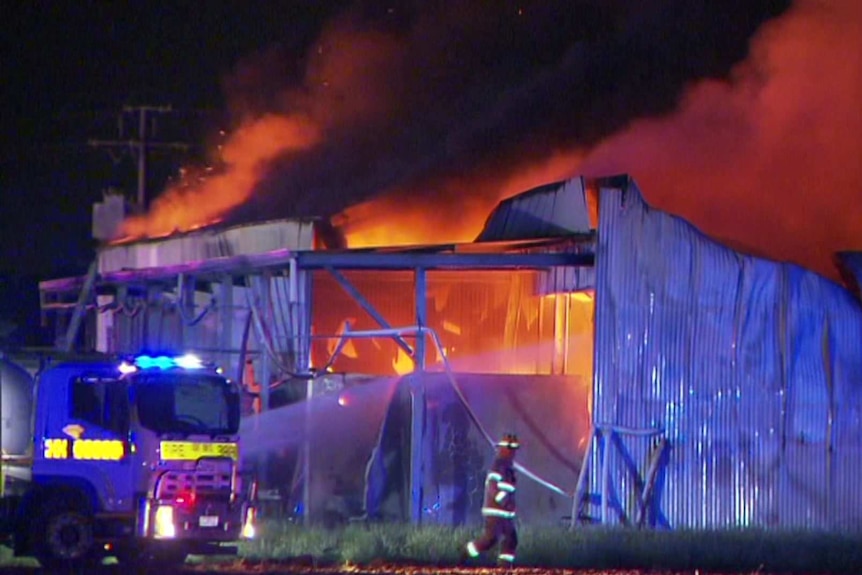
x: 498, y: 508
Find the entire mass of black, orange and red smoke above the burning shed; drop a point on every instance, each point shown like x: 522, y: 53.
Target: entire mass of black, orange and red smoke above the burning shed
x: 409, y: 123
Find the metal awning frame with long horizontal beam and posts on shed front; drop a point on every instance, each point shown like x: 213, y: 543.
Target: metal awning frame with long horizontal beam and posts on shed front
x: 76, y: 297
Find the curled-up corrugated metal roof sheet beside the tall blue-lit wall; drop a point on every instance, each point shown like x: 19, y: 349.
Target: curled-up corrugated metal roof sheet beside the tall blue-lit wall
x: 552, y: 210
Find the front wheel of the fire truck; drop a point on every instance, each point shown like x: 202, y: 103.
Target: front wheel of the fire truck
x: 66, y: 538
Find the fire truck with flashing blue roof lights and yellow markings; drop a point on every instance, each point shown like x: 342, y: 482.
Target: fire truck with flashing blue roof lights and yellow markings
x: 135, y: 458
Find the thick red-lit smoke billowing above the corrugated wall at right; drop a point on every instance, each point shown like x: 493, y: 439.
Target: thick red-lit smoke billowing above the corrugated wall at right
x: 767, y: 159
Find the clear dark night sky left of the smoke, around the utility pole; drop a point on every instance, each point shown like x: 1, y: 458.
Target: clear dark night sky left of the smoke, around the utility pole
x: 69, y: 67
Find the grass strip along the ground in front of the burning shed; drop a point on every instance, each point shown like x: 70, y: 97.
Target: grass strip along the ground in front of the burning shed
x: 585, y: 548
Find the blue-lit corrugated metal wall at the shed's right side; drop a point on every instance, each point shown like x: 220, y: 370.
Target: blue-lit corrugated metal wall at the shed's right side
x: 751, y: 368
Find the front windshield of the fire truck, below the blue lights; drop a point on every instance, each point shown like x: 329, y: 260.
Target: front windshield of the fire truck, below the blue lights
x: 187, y: 404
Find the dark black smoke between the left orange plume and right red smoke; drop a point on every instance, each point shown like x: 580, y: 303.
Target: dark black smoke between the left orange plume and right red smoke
x: 408, y: 96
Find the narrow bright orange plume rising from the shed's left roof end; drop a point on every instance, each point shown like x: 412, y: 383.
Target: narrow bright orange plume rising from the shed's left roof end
x: 185, y: 206
